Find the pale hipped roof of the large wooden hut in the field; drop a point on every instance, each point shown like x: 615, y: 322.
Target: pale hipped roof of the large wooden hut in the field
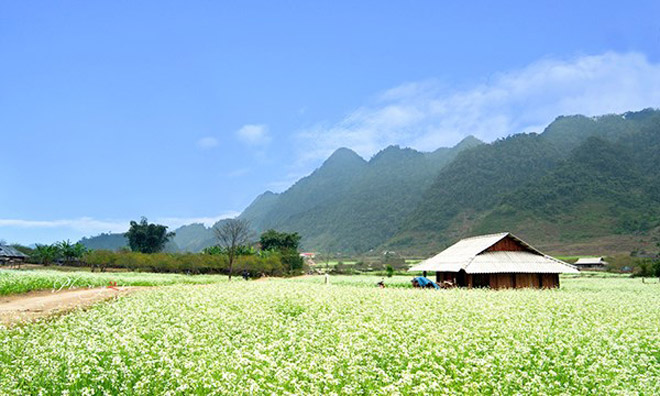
x: 471, y: 255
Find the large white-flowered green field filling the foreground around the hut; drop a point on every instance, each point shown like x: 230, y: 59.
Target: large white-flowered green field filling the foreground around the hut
x: 592, y: 336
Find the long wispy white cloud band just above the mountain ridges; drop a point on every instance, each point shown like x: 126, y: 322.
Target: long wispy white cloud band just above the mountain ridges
x: 427, y: 115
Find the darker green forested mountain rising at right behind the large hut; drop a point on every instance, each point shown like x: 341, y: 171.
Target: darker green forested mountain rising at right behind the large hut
x: 583, y: 185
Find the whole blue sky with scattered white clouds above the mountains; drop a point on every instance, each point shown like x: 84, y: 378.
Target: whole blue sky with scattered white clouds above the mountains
x: 186, y: 111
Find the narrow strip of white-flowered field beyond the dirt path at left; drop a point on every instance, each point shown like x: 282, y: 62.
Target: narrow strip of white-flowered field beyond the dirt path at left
x: 20, y: 281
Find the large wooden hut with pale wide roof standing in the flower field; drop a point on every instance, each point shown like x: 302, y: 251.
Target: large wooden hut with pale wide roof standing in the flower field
x: 497, y: 261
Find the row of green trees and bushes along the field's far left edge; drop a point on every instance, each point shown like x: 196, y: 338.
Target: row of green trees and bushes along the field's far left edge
x: 274, y: 254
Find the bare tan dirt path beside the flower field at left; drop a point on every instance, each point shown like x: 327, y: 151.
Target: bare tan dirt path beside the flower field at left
x: 38, y: 304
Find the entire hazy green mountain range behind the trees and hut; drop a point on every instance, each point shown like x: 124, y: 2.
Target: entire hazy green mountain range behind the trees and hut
x: 584, y: 185
